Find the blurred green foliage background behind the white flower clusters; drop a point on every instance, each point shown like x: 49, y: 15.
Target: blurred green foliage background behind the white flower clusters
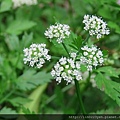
x: 24, y: 25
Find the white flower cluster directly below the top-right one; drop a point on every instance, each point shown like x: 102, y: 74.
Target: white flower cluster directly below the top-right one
x: 92, y: 57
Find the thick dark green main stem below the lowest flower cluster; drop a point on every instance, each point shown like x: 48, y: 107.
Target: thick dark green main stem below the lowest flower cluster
x: 79, y: 97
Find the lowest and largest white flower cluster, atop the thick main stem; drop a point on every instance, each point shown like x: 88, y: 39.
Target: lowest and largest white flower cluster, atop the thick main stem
x: 67, y: 69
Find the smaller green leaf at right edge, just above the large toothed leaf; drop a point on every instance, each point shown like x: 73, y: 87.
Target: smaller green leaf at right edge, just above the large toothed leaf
x: 109, y: 71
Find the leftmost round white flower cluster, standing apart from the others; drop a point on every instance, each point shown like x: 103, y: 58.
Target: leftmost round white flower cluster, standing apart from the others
x: 36, y: 55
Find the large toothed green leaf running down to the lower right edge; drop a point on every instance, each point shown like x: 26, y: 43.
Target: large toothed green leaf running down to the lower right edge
x: 111, y: 88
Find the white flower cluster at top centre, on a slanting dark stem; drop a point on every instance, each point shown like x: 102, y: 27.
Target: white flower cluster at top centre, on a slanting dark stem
x: 59, y: 31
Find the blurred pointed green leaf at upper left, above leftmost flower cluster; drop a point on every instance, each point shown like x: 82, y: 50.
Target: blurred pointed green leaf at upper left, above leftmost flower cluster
x: 18, y: 26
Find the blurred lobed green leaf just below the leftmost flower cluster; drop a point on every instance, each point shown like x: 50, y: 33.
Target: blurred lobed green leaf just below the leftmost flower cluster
x: 30, y: 79
